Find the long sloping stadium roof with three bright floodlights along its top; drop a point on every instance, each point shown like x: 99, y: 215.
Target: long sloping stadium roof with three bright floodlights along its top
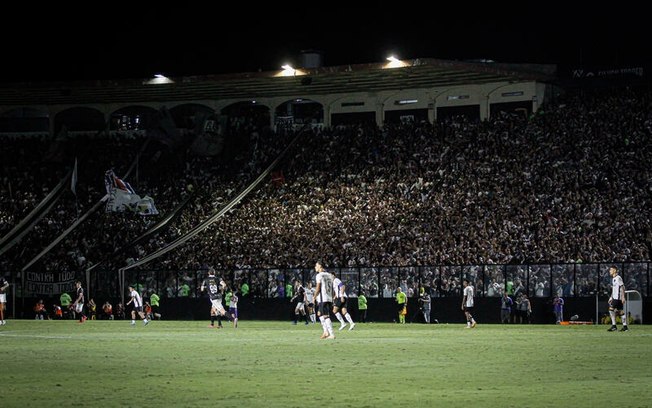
x: 418, y: 73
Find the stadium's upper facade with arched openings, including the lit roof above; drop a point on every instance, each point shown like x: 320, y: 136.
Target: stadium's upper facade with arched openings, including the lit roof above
x: 419, y: 89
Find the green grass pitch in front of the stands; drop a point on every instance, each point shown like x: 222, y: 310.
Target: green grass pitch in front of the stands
x: 270, y: 364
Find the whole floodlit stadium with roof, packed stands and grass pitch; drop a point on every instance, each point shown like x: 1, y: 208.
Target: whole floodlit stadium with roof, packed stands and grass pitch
x: 413, y: 174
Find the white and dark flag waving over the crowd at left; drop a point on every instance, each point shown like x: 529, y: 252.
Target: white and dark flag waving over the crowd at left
x: 123, y: 197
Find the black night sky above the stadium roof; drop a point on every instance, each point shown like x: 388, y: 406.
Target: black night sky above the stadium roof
x: 126, y: 42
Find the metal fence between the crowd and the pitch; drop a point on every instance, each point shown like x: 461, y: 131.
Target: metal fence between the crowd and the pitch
x: 535, y: 280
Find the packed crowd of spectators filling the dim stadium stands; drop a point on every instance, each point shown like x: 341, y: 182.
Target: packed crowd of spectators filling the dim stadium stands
x: 570, y: 184
